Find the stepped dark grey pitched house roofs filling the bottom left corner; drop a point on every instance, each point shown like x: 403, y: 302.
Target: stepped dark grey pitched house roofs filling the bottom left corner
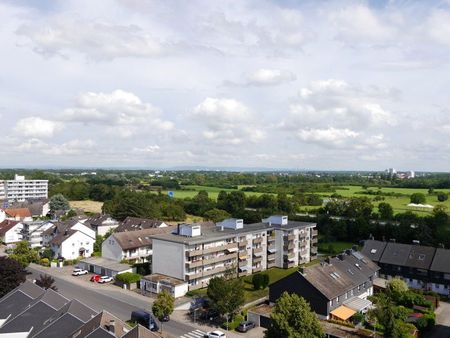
x: 30, y: 311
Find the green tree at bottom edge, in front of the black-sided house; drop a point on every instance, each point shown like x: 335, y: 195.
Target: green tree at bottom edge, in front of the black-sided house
x: 292, y: 317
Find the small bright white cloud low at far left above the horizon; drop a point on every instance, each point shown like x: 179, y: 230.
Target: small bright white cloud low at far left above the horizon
x: 37, y: 127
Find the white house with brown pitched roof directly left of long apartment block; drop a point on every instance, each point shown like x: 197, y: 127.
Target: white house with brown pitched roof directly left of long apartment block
x: 131, y: 245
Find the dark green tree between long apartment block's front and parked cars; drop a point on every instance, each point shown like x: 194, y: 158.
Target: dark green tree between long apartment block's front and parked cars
x: 226, y: 296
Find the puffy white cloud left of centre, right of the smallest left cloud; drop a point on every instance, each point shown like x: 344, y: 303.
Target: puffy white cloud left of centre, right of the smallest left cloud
x: 122, y: 111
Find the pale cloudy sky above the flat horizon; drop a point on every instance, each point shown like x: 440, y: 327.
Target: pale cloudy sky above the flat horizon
x: 329, y: 85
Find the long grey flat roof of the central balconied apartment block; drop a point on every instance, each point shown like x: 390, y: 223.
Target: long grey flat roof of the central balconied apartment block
x: 210, y: 234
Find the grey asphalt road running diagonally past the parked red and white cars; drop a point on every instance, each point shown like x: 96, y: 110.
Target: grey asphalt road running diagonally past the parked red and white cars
x: 114, y: 302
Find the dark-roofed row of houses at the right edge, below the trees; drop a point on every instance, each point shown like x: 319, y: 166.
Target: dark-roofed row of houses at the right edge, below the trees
x: 421, y: 267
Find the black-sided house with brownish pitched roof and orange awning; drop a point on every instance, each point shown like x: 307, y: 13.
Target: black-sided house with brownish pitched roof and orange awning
x: 337, y: 287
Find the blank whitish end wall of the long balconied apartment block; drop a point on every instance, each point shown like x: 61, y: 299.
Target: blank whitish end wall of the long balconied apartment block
x: 168, y: 259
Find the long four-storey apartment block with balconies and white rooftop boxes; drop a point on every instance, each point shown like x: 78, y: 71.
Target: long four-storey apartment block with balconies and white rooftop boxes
x: 196, y: 254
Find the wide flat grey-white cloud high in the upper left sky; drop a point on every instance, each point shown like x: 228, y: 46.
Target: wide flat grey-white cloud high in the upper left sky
x: 97, y: 39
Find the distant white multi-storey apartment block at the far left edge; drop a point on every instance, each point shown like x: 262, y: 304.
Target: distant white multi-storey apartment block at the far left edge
x: 21, y: 189
